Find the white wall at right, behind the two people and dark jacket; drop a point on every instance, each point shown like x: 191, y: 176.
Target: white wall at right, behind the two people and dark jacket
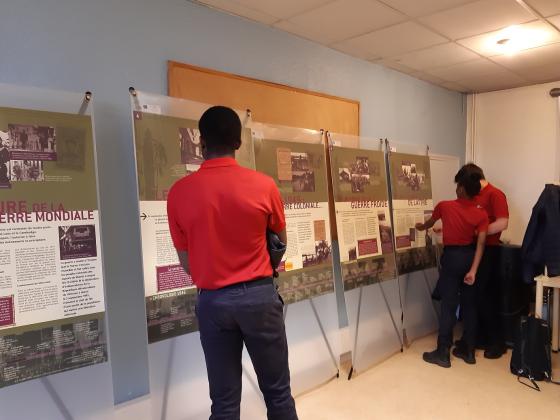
x: 514, y: 135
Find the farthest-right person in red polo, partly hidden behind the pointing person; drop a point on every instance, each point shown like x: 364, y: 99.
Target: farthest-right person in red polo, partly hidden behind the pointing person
x: 494, y: 202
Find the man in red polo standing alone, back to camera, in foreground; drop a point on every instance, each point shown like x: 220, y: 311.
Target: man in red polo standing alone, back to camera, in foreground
x: 218, y: 218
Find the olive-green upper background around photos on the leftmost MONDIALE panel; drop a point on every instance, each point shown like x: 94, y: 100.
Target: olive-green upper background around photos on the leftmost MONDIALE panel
x: 77, y: 162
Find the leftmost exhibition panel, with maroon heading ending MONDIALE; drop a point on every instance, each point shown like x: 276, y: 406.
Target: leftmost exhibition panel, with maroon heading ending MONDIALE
x: 52, y: 304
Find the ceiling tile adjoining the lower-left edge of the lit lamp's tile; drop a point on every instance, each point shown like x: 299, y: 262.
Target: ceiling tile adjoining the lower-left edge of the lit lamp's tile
x: 438, y: 56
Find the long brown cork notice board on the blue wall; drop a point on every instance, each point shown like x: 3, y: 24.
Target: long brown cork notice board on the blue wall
x: 270, y: 103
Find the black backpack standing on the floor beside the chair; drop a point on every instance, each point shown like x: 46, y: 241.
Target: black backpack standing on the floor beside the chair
x: 531, y: 352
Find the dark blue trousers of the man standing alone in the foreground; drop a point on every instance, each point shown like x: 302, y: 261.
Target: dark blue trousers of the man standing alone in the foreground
x: 250, y: 315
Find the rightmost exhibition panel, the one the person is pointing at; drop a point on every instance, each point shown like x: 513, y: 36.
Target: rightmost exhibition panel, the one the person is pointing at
x: 409, y: 170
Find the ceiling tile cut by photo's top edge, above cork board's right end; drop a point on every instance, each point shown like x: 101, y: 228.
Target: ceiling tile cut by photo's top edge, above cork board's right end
x: 343, y: 19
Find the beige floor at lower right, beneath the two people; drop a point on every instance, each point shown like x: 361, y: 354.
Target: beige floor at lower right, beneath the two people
x: 405, y: 387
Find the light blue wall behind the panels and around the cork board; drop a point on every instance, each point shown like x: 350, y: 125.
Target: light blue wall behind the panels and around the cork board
x: 108, y: 45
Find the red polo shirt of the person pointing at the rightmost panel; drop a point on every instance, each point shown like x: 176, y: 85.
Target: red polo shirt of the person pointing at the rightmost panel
x: 461, y: 220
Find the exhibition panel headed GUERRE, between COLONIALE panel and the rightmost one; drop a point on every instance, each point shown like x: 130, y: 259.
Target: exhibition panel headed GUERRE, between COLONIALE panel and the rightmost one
x: 365, y: 240
